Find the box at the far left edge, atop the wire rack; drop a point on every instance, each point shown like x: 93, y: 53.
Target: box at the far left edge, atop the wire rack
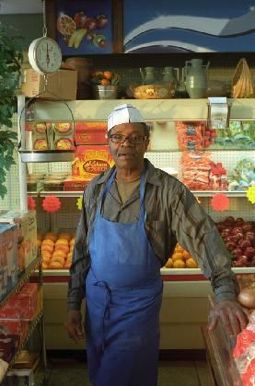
x: 8, y: 258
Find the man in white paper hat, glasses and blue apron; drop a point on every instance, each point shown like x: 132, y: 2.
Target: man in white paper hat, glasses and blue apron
x: 132, y: 217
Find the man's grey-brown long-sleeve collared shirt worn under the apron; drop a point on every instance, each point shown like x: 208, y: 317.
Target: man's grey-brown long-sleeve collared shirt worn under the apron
x: 172, y: 214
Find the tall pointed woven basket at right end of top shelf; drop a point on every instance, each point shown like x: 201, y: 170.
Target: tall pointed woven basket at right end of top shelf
x: 242, y: 83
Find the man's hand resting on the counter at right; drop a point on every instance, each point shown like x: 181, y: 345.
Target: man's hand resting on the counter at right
x: 231, y: 314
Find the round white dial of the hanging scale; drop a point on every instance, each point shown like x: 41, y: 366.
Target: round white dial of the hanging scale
x: 44, y: 55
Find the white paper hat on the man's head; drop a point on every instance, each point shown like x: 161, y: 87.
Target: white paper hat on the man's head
x: 125, y: 113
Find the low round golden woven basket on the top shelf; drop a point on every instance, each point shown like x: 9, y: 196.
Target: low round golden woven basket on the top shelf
x: 153, y: 91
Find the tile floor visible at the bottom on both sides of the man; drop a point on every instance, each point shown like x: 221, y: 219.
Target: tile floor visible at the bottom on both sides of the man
x: 171, y: 373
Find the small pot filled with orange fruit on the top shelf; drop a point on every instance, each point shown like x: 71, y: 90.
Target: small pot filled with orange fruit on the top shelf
x: 105, y: 84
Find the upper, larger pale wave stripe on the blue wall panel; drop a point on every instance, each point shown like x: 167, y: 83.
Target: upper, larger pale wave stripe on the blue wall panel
x: 210, y: 26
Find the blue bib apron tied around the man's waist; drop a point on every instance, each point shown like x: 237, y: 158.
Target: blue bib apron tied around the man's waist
x: 123, y: 299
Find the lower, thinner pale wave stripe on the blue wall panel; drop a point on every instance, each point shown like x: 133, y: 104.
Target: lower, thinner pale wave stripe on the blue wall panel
x: 172, y: 43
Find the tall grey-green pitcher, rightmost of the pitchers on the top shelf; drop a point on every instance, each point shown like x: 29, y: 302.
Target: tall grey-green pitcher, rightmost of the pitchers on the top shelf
x: 196, y: 78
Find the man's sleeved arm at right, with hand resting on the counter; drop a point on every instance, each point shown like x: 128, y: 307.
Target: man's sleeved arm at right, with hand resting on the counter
x: 196, y: 232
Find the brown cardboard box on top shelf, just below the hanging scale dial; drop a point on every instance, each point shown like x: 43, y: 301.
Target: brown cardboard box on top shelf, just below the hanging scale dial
x: 62, y: 84
